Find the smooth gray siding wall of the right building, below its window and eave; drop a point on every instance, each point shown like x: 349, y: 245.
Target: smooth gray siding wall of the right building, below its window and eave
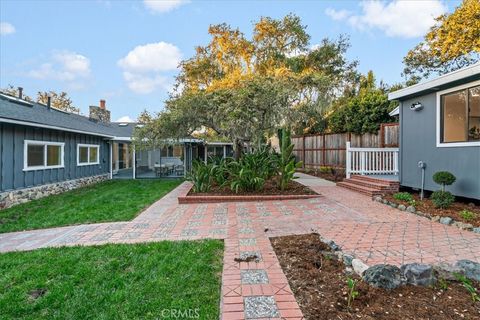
x: 418, y: 142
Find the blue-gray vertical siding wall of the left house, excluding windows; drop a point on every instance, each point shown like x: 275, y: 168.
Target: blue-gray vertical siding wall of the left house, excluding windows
x: 11, y: 157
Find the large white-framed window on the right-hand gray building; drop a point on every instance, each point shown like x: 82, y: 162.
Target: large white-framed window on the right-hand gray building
x: 458, y: 116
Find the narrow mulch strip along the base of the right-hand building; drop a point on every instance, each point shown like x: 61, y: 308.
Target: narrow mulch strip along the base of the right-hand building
x: 426, y: 206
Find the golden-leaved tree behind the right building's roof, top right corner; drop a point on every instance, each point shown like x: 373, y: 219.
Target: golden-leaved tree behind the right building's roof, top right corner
x: 452, y: 43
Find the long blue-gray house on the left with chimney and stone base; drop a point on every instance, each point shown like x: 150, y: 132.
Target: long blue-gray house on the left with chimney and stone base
x: 44, y: 150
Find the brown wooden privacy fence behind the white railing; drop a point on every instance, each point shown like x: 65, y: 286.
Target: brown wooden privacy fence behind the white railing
x: 329, y: 149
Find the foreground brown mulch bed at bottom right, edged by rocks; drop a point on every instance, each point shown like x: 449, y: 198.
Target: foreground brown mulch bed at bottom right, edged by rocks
x: 320, y: 288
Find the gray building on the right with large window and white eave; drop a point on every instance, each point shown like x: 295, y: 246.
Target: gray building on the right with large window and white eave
x: 440, y: 126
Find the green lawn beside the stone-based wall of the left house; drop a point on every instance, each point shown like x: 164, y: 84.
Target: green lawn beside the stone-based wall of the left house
x: 113, y: 200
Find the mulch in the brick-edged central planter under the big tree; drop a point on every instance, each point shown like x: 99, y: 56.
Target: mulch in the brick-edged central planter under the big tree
x: 270, y: 188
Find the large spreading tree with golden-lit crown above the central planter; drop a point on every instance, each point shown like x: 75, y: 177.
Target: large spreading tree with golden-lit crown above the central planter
x: 245, y: 89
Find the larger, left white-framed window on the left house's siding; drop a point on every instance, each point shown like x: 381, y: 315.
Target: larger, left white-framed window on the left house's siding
x: 39, y: 155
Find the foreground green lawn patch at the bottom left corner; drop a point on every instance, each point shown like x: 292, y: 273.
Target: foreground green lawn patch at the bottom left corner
x: 113, y: 281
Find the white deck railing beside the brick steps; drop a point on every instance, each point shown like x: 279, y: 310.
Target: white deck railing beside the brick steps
x: 371, y: 161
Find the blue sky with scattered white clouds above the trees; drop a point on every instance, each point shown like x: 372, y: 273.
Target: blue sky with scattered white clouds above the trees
x: 126, y: 51
